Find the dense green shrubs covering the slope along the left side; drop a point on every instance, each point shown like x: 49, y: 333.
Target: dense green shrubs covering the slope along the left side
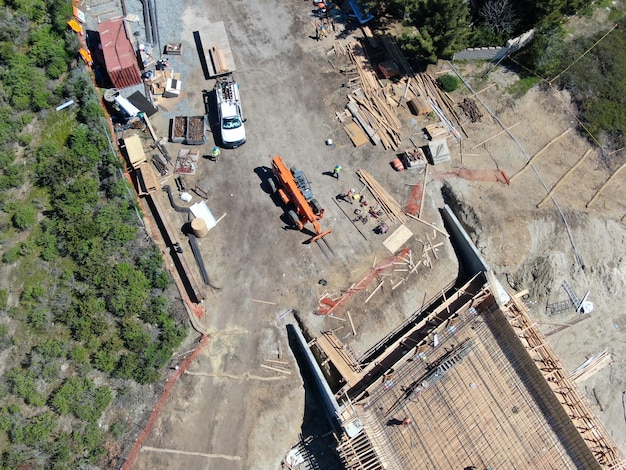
x: 83, y: 310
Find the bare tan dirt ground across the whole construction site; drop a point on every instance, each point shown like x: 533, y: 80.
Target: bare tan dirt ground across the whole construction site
x: 229, y: 412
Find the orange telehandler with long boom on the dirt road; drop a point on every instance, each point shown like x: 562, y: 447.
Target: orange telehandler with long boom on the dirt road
x: 295, y: 192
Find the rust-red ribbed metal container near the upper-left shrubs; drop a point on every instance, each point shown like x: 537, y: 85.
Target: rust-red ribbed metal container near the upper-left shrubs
x: 119, y: 56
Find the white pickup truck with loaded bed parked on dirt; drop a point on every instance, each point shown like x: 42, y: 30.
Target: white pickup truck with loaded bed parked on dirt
x: 233, y: 132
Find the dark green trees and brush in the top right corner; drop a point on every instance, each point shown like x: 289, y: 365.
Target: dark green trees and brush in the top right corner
x: 591, y: 66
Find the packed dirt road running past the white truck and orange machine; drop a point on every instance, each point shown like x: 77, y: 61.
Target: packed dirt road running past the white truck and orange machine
x: 228, y: 412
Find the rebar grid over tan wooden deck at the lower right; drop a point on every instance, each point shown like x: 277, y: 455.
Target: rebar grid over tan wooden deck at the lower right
x: 478, y: 413
